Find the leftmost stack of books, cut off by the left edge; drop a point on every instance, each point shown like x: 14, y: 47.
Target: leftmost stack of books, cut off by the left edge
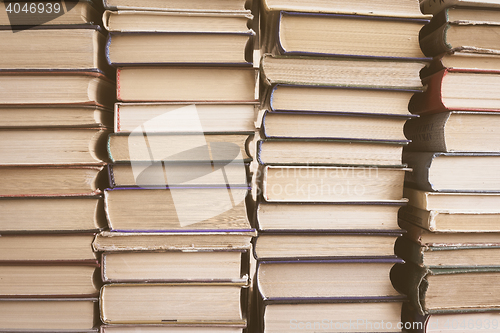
x: 55, y: 112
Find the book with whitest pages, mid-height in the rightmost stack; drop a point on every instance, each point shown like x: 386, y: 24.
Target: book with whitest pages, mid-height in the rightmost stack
x: 472, y: 172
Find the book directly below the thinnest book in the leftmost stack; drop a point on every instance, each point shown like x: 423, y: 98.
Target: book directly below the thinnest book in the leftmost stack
x: 53, y: 146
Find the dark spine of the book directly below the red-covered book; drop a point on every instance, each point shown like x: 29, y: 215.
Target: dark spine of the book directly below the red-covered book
x: 427, y: 132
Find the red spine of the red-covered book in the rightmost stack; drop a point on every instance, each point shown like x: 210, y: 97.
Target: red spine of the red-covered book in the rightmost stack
x: 429, y: 101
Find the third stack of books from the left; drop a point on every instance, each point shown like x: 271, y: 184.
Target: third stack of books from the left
x: 337, y: 79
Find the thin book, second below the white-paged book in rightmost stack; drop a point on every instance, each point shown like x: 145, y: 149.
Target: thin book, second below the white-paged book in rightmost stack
x: 450, y: 221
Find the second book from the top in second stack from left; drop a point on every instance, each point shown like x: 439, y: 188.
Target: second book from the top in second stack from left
x: 164, y: 21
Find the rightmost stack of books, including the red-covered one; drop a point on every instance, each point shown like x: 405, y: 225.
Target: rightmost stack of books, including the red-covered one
x: 452, y: 242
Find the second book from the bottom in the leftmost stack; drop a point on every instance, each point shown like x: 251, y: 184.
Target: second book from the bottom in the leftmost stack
x: 68, y: 280
